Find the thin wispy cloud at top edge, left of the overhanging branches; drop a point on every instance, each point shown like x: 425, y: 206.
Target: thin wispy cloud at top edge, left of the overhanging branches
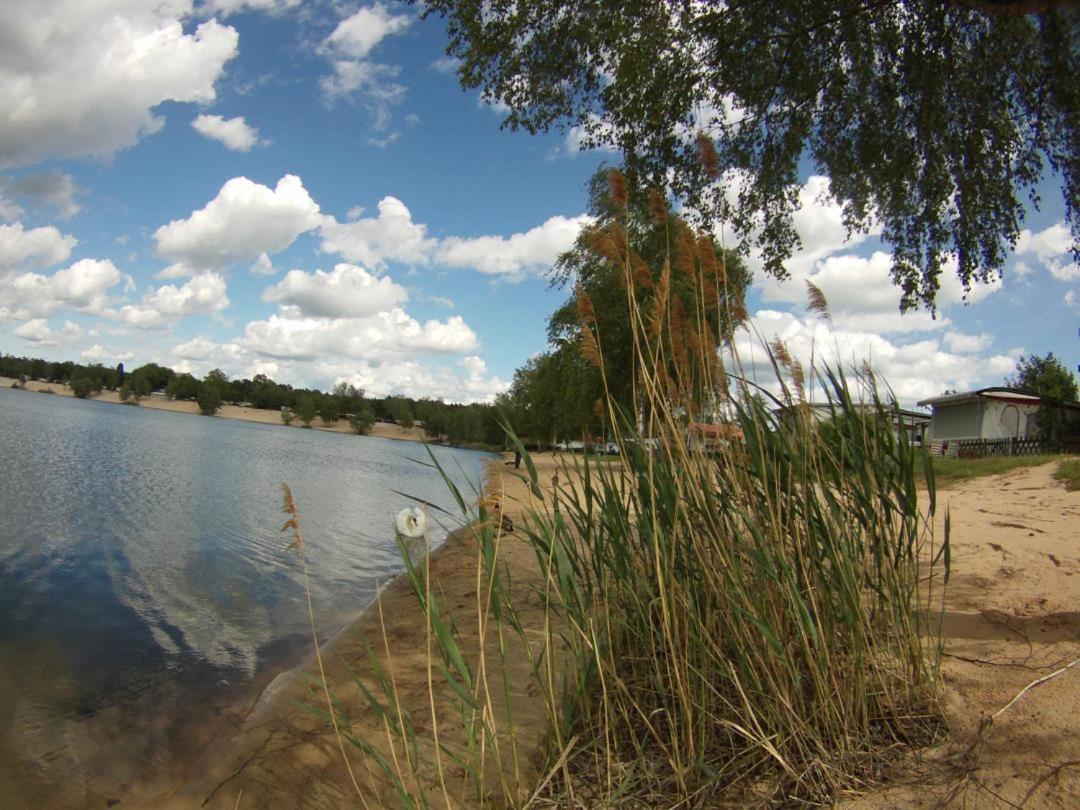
x: 356, y: 75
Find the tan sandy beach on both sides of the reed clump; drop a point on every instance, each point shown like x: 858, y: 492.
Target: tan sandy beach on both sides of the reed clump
x: 1011, y: 618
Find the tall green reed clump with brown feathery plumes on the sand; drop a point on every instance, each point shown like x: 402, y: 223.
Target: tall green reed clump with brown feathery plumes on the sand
x: 751, y: 622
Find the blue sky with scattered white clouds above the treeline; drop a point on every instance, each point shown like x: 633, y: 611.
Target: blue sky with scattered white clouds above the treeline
x: 301, y: 188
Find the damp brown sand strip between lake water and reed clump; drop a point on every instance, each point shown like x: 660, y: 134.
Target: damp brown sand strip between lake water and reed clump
x: 285, y: 757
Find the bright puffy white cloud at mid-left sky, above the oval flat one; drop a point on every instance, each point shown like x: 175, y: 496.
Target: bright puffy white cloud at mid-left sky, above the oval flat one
x: 244, y: 222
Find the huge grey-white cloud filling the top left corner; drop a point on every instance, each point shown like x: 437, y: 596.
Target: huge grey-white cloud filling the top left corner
x: 83, y: 79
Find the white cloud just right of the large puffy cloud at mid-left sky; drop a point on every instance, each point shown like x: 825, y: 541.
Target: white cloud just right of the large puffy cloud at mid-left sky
x: 393, y: 236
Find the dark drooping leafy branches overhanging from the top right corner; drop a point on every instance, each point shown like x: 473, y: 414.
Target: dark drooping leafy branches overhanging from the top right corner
x: 935, y: 119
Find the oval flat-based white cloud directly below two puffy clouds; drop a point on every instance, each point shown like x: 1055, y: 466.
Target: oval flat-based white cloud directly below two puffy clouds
x: 346, y: 292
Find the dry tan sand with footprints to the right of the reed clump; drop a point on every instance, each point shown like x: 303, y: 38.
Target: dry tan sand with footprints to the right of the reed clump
x: 1012, y: 617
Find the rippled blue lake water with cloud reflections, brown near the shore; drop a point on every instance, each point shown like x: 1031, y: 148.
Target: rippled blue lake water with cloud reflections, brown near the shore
x: 146, y: 592
